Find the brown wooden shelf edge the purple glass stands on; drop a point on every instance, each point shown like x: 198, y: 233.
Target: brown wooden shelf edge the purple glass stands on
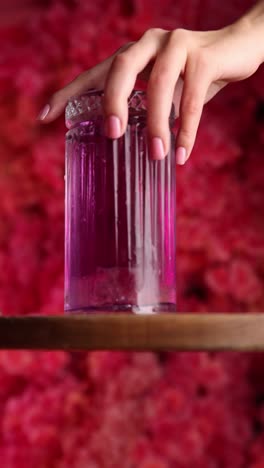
x: 185, y: 332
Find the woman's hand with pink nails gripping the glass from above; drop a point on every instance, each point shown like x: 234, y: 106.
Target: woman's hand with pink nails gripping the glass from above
x: 181, y: 66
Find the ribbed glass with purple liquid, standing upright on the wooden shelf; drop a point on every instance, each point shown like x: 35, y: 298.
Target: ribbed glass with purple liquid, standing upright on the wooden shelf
x: 119, y: 214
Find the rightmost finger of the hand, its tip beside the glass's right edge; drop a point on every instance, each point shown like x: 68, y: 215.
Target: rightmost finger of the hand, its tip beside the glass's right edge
x: 196, y: 84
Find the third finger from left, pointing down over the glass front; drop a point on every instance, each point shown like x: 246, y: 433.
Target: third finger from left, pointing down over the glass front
x: 160, y: 93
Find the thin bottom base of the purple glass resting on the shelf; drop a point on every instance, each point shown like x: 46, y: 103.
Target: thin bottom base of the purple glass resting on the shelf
x: 125, y: 308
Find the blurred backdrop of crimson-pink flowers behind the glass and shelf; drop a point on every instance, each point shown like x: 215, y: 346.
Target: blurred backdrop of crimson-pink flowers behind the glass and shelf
x: 128, y: 410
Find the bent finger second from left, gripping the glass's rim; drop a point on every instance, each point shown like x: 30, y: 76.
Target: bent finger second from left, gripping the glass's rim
x: 121, y: 79
